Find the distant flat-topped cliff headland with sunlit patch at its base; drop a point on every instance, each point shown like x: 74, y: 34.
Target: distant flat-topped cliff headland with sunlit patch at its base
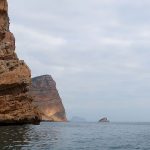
x: 47, y: 99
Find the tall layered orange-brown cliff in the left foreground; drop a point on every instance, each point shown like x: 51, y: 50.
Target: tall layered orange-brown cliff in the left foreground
x: 15, y: 77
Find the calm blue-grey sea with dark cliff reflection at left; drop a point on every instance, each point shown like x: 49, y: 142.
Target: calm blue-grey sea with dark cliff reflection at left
x: 76, y: 136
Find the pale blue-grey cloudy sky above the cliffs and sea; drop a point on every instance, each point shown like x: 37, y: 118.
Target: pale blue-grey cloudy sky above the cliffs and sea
x: 97, y: 51
